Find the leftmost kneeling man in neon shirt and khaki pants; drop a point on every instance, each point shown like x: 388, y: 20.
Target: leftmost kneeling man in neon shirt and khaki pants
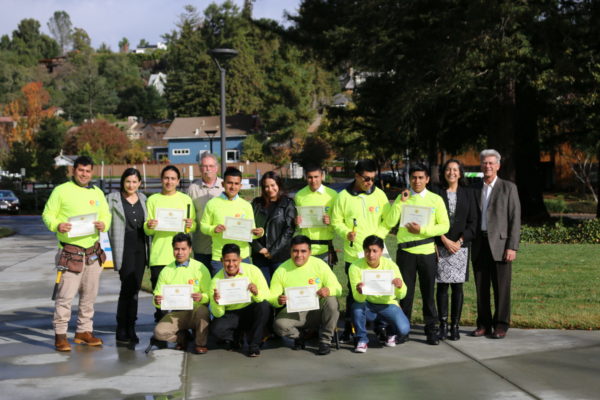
x: 175, y: 326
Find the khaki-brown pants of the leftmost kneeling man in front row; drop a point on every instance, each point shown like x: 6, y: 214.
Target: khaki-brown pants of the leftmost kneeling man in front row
x: 171, y: 323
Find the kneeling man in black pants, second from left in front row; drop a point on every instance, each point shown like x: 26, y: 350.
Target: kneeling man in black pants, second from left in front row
x: 250, y: 316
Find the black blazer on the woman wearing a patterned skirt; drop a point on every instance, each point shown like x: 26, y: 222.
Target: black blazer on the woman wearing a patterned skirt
x: 465, y: 215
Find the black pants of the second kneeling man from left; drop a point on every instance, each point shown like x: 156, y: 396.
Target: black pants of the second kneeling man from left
x: 252, y: 319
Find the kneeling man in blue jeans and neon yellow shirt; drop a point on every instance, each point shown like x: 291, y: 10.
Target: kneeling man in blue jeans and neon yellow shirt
x: 370, y: 306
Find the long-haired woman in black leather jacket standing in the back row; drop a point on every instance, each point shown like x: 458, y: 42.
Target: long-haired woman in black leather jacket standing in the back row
x: 276, y: 213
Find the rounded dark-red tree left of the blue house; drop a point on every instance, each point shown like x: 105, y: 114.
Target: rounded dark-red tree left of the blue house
x: 100, y: 140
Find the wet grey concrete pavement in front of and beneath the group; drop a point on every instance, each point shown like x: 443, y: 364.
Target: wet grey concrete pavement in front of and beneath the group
x: 545, y: 364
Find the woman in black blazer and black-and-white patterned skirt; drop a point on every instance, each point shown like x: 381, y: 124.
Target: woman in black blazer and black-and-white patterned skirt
x: 453, y: 247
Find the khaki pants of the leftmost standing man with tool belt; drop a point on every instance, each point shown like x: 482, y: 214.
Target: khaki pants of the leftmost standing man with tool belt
x: 84, y: 283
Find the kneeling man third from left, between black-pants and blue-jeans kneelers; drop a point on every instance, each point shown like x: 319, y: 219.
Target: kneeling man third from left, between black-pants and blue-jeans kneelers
x: 304, y: 270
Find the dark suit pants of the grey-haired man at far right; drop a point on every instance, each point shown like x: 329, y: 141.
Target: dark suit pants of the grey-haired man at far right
x: 499, y: 274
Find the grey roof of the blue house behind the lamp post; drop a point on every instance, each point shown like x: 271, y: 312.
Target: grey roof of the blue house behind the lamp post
x: 197, y: 127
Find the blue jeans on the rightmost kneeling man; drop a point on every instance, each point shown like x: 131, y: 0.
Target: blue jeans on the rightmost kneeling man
x: 361, y: 312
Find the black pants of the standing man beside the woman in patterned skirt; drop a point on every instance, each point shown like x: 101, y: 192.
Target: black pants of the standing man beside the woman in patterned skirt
x: 426, y: 266
